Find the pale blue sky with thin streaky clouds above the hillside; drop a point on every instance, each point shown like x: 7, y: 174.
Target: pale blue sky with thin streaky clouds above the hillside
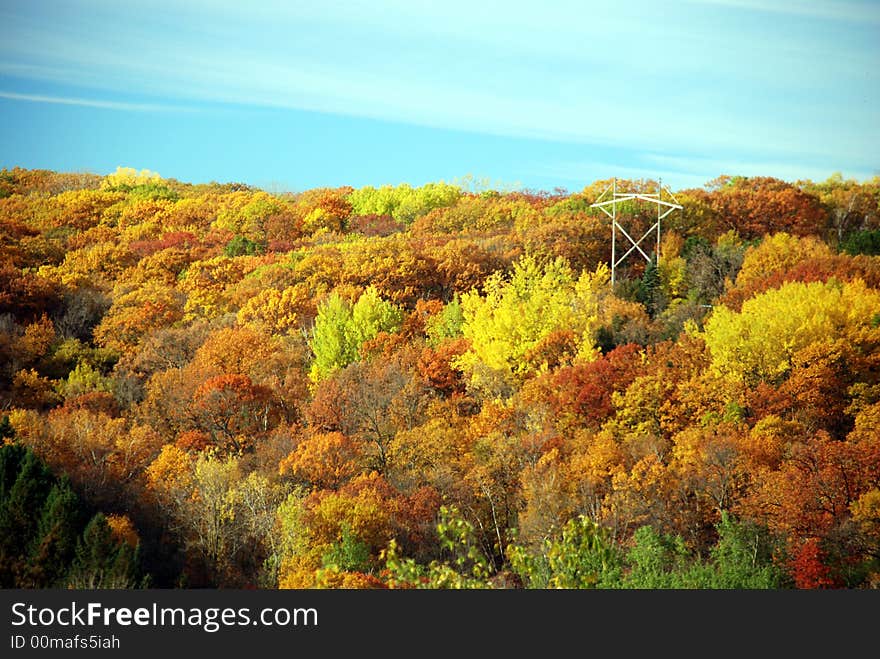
x: 292, y: 95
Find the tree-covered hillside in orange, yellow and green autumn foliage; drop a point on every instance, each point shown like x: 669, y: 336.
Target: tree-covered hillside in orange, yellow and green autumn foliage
x: 211, y: 385
